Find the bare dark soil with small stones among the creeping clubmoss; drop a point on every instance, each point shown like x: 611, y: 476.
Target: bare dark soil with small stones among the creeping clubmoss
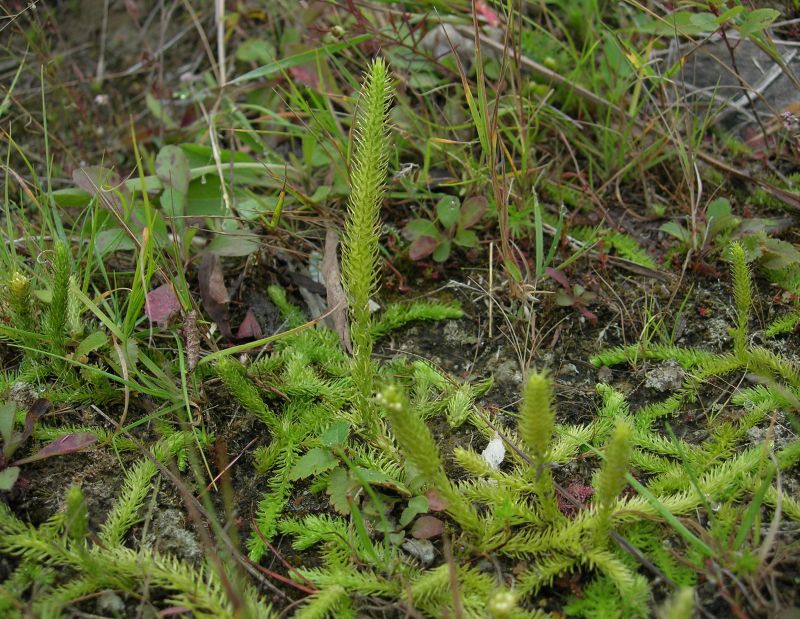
x: 545, y: 336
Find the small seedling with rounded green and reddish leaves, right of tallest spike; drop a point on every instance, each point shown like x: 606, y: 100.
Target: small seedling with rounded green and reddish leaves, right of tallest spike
x: 454, y: 222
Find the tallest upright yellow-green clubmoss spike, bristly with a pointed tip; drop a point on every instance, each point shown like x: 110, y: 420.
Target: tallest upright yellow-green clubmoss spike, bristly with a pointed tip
x: 360, y: 261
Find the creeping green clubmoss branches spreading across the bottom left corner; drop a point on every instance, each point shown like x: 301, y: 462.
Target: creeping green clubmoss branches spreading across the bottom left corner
x: 64, y: 563
